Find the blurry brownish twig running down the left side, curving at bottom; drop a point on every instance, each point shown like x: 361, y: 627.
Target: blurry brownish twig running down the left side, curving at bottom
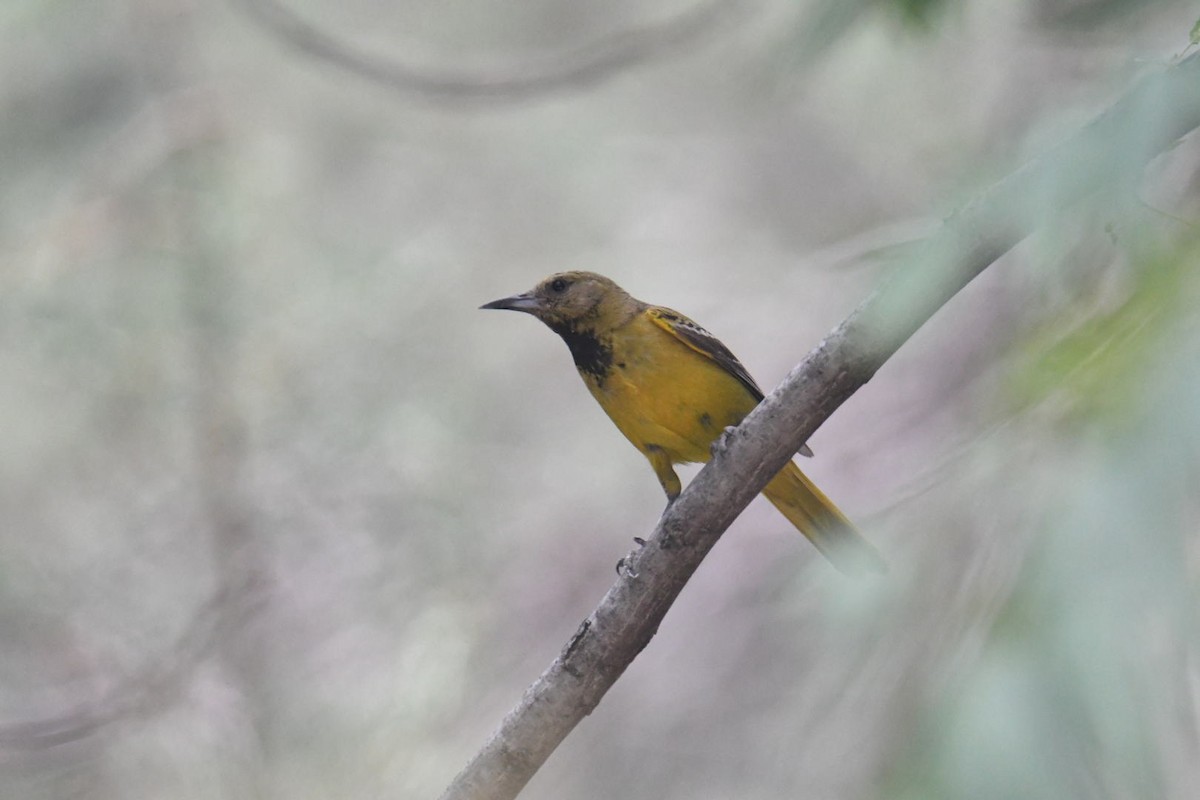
x: 177, y: 129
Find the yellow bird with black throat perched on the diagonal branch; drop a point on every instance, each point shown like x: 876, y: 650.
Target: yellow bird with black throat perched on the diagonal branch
x: 673, y: 389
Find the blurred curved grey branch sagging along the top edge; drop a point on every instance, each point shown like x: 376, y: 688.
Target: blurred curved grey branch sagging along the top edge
x: 585, y: 67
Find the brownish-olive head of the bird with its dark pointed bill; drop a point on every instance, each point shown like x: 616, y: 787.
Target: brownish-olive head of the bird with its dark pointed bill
x: 573, y: 300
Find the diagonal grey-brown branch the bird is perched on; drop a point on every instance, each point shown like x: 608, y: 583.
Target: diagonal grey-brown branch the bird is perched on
x: 1109, y: 153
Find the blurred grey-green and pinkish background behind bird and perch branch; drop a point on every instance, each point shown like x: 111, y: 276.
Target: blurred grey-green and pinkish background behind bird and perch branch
x: 283, y: 515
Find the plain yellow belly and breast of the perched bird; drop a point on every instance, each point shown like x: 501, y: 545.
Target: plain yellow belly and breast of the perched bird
x: 669, y: 396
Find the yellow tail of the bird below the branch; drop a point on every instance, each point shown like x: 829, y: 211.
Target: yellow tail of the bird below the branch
x: 807, y: 508
